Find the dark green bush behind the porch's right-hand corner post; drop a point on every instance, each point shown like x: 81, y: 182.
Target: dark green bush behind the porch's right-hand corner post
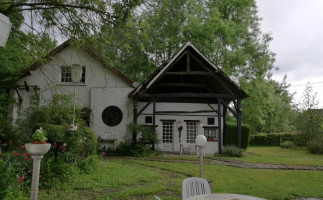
x: 230, y: 135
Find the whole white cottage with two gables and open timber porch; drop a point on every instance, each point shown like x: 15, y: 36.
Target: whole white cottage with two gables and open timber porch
x: 181, y: 100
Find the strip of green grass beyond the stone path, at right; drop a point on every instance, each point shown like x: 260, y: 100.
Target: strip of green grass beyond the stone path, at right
x: 277, y: 155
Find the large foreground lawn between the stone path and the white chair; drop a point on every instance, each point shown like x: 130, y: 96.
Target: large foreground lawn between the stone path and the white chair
x: 139, y: 179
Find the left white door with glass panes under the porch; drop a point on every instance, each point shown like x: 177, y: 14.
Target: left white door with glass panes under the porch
x: 168, y: 136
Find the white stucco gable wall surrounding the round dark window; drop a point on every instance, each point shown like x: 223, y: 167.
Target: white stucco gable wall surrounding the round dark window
x: 48, y: 79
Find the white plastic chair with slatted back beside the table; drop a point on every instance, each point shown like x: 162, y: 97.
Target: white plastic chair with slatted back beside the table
x: 195, y: 186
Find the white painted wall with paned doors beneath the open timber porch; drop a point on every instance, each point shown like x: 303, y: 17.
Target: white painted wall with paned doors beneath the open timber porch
x: 182, y: 119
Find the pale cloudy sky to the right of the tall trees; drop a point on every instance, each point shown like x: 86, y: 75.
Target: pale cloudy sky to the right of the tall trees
x: 297, y: 30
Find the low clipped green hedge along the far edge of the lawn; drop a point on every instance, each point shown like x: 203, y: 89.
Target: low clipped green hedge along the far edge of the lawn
x: 270, y: 139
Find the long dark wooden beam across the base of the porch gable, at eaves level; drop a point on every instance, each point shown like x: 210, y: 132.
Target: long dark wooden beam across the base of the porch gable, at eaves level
x: 190, y: 95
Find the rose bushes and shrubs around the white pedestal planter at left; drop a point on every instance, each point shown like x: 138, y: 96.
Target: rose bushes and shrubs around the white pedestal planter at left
x: 72, y: 151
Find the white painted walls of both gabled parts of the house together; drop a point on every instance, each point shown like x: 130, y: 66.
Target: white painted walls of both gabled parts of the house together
x: 103, y: 88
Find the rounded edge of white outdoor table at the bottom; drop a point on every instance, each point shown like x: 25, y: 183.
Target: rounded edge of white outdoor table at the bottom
x: 223, y: 196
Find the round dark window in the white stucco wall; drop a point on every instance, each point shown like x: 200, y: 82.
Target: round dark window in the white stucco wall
x: 112, y: 115
